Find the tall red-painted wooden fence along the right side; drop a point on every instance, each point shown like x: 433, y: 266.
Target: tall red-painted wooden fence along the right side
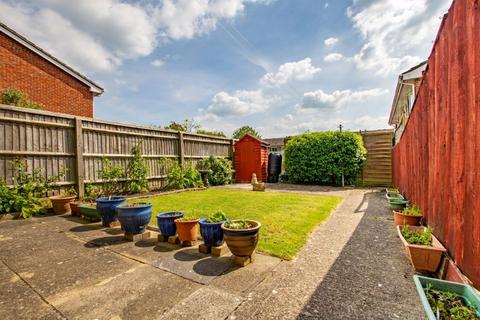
x: 436, y: 161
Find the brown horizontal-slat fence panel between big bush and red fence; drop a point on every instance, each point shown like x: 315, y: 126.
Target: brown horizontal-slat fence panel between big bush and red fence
x: 377, y: 170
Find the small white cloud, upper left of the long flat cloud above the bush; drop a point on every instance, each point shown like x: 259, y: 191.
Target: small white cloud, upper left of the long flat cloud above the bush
x: 299, y: 70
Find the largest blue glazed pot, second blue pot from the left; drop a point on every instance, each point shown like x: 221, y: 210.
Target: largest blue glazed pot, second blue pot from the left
x: 134, y: 218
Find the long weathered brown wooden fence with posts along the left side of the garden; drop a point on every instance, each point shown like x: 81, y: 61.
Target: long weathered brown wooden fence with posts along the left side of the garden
x: 54, y: 141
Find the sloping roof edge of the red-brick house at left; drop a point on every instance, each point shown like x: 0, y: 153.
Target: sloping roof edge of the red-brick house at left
x: 95, y: 88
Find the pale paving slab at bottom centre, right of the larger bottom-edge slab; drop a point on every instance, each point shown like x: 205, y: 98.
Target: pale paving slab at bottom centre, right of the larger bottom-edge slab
x: 207, y: 303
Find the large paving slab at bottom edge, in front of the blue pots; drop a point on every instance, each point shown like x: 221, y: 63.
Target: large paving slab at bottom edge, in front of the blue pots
x: 144, y: 292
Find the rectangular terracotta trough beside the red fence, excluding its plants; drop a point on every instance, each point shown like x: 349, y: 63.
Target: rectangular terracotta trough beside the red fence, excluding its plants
x: 423, y: 258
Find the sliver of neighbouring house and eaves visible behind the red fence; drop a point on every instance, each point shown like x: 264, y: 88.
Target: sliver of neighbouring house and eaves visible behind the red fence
x: 406, y: 78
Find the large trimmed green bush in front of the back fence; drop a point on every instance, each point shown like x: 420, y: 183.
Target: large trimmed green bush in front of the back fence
x: 323, y: 157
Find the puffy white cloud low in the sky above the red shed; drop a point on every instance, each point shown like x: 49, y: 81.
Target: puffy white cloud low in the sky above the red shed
x: 241, y: 103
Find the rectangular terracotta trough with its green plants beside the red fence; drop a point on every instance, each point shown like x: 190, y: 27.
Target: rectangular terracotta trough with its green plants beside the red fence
x: 423, y: 249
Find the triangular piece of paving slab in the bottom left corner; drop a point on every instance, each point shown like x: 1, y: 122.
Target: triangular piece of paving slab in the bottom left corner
x: 19, y: 301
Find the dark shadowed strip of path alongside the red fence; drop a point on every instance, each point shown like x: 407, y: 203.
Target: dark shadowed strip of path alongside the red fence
x: 371, y: 278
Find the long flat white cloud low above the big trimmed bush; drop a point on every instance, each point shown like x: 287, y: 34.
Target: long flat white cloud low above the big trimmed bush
x: 322, y: 100
